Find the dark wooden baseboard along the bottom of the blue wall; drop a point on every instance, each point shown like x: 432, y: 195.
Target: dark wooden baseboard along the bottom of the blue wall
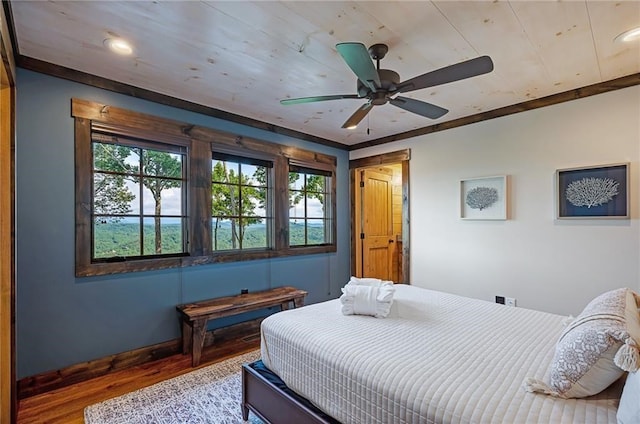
x: 42, y: 383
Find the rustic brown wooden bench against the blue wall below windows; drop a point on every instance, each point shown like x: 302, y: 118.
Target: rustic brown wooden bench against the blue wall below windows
x: 194, y: 316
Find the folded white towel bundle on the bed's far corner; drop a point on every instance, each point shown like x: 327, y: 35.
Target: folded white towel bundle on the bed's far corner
x: 358, y: 299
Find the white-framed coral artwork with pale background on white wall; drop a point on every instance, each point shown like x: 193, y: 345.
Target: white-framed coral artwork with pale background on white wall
x: 484, y: 198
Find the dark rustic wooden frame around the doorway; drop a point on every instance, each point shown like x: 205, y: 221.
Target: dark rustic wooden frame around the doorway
x: 399, y: 156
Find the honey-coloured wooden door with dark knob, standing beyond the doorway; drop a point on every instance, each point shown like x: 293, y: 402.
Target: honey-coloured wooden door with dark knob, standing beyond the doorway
x: 377, y: 226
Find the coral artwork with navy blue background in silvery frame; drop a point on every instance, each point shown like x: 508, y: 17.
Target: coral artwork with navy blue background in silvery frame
x: 593, y: 192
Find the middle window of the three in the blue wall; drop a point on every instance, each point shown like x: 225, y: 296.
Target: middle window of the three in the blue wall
x: 241, y: 203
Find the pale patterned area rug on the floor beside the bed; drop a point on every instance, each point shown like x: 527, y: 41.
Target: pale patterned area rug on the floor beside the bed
x: 208, y: 395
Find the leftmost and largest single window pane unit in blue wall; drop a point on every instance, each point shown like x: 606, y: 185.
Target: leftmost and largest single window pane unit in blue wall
x: 138, y: 199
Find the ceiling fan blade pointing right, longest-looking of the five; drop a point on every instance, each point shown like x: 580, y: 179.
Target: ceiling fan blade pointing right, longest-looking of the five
x: 470, y: 68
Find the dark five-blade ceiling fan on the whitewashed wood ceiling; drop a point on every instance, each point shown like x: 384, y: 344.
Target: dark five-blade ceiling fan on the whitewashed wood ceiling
x: 379, y: 86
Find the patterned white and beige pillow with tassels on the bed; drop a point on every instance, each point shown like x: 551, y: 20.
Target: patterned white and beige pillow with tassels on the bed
x: 596, y: 348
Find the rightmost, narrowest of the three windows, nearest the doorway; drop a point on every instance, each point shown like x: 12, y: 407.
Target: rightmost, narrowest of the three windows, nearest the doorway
x: 309, y: 218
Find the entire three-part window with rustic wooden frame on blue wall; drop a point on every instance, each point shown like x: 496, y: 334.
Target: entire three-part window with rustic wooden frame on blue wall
x: 153, y: 193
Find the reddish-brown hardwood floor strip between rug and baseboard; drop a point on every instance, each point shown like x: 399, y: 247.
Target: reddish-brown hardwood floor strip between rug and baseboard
x: 66, y: 405
